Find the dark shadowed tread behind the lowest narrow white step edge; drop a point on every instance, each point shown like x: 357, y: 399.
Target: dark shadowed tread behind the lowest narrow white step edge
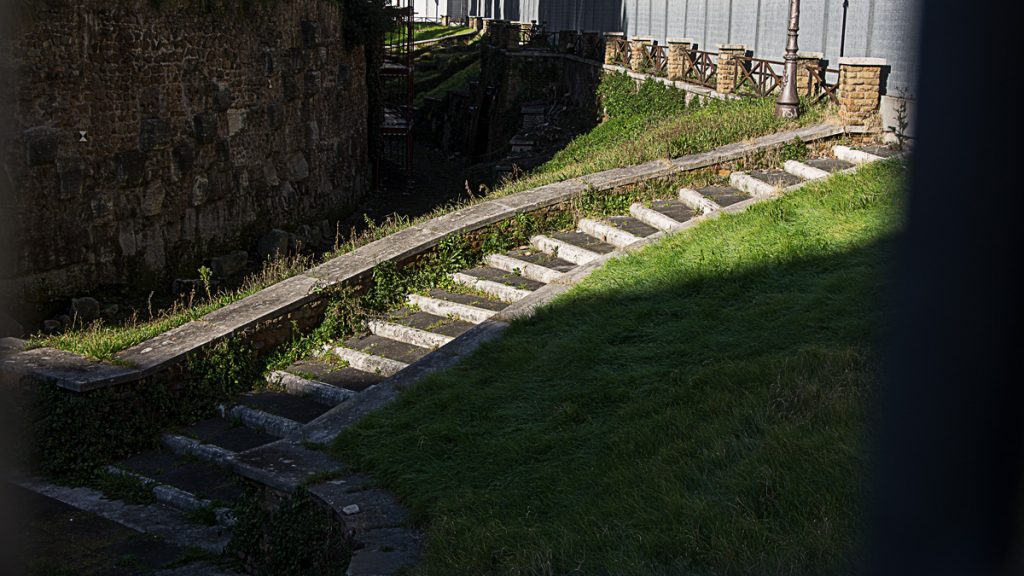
x: 203, y: 481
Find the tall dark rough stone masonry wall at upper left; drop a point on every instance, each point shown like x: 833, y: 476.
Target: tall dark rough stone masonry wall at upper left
x: 149, y: 139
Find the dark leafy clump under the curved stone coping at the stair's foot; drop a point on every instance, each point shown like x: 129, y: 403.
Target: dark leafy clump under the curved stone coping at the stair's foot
x: 288, y: 537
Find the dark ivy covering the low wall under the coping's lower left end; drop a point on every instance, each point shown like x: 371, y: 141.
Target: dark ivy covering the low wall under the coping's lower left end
x: 73, y: 435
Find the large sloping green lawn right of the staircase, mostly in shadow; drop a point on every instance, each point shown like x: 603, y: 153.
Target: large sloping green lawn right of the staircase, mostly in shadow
x: 697, y: 408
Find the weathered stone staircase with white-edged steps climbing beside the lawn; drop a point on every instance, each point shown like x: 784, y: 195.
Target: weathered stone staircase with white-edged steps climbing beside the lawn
x: 264, y: 436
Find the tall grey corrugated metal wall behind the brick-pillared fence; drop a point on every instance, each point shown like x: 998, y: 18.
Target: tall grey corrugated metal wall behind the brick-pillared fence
x: 874, y: 28
